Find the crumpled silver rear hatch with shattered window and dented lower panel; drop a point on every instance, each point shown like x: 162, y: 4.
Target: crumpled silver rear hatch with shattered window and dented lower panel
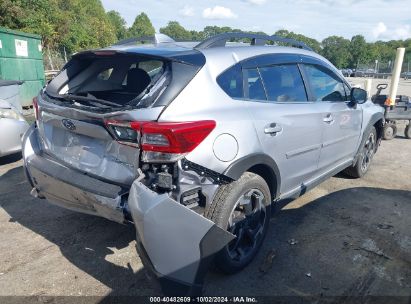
x: 86, y: 114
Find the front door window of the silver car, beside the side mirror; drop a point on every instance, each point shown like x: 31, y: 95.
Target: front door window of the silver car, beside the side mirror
x: 324, y: 85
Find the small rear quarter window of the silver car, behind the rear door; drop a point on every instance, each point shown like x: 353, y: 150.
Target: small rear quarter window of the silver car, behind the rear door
x: 231, y: 81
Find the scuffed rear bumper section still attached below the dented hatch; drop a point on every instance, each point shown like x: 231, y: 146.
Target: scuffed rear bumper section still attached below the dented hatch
x: 68, y: 187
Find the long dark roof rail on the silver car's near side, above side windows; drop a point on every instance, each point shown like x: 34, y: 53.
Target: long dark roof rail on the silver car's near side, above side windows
x: 256, y: 39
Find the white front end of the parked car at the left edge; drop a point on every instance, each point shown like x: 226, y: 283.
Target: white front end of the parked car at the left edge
x: 12, y: 127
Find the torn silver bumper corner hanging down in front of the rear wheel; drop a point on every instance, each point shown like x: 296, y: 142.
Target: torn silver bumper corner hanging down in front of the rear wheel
x: 176, y: 243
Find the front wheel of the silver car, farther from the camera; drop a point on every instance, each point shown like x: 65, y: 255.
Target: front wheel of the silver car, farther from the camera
x: 365, y: 156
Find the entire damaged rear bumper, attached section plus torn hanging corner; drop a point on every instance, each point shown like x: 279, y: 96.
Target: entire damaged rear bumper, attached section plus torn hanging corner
x: 174, y: 242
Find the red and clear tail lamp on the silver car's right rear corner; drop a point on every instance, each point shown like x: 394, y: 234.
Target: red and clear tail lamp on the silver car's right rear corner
x: 161, y: 141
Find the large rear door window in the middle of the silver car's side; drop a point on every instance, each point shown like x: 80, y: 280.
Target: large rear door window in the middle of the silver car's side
x: 283, y: 83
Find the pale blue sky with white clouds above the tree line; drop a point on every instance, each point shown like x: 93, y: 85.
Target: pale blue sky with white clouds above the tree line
x: 374, y: 19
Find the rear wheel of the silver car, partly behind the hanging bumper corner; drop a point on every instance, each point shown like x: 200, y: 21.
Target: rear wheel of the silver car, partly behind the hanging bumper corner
x: 228, y: 213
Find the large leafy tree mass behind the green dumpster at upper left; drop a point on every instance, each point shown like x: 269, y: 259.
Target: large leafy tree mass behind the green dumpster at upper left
x: 72, y: 24
